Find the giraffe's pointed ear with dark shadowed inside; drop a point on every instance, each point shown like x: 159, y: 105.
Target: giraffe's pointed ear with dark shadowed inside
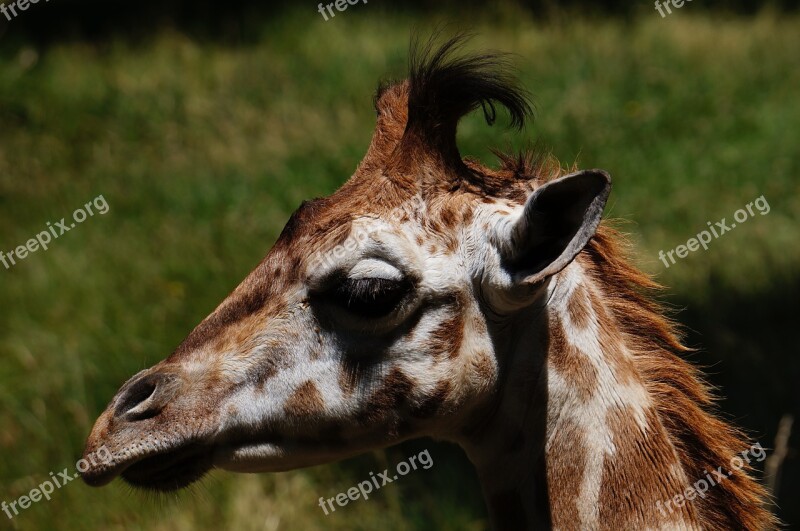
x: 558, y: 220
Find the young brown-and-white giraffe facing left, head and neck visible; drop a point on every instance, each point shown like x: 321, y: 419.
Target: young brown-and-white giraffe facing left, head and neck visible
x: 433, y: 296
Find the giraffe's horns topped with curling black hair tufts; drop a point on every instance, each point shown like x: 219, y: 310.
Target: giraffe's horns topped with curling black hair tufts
x: 418, y: 117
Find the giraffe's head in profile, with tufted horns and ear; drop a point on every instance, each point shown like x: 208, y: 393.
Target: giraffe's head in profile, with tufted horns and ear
x: 379, y: 313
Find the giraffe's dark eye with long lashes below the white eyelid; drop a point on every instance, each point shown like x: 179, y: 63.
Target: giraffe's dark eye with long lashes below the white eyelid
x: 370, y: 297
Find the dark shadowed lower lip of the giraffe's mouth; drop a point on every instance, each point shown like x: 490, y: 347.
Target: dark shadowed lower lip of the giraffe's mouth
x: 172, y: 470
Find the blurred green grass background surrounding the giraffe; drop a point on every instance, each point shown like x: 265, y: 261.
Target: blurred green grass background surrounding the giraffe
x: 204, y: 146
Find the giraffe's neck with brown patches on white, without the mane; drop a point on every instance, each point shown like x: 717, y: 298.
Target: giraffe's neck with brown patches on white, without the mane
x: 576, y: 442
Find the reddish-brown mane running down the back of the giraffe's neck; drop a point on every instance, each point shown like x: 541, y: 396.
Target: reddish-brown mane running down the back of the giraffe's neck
x: 685, y: 403
